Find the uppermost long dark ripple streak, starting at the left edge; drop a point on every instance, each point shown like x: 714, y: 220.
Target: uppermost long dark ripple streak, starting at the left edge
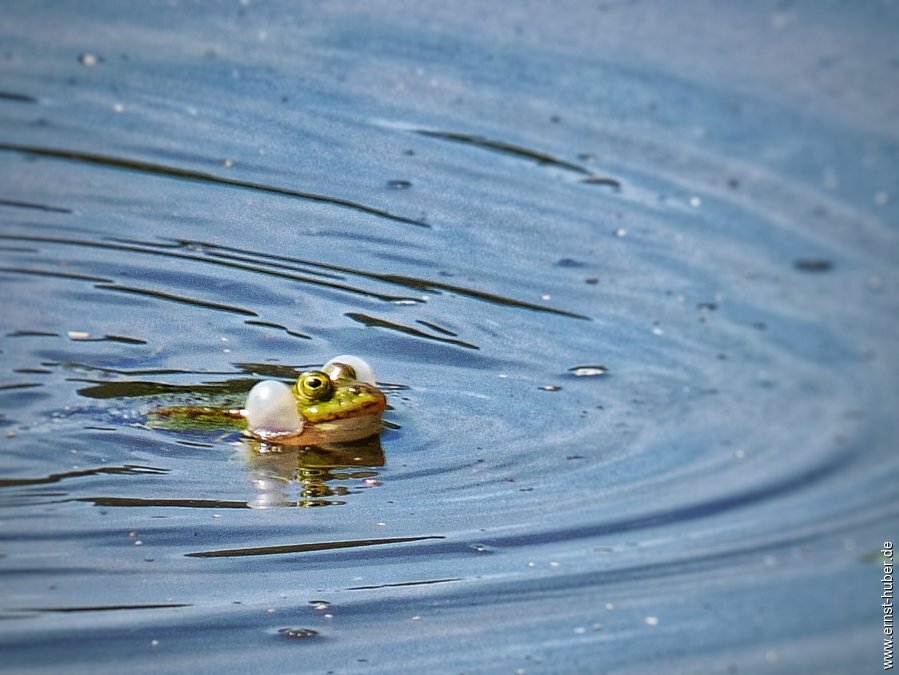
x: 203, y: 177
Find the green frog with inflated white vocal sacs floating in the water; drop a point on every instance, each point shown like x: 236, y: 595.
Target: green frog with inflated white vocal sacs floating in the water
x: 339, y: 403
